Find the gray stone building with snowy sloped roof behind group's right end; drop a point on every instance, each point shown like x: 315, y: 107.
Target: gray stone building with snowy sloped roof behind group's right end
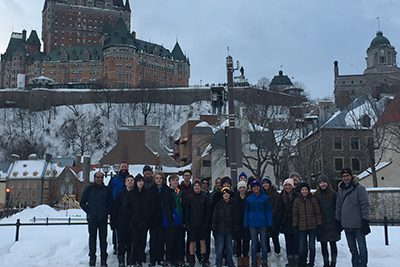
x: 345, y: 140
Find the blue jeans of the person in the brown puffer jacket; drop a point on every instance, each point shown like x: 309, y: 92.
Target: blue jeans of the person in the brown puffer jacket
x: 307, y: 242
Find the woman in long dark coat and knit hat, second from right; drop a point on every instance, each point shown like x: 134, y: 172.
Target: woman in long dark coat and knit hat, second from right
x: 328, y: 233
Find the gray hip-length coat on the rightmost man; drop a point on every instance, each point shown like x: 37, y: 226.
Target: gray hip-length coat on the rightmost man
x: 351, y: 210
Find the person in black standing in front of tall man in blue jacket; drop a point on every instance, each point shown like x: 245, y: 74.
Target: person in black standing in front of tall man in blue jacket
x: 122, y: 215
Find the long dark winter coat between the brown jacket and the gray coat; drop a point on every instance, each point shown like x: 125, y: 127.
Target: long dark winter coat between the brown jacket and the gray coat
x: 327, y: 204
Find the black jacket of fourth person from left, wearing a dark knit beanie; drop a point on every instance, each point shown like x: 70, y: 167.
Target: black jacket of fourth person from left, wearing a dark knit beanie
x: 139, y: 206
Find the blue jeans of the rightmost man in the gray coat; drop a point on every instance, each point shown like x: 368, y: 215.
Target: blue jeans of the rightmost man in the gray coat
x: 359, y: 256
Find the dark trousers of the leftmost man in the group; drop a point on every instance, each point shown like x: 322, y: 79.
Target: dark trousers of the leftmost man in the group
x: 101, y: 227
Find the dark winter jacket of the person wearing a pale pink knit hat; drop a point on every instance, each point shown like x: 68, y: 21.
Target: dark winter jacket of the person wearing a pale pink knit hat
x: 286, y: 215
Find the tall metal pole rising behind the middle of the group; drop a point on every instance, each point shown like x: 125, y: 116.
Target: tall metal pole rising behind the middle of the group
x: 231, y: 116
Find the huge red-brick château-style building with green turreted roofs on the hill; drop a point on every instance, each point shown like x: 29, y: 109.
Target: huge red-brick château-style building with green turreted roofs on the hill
x: 89, y: 43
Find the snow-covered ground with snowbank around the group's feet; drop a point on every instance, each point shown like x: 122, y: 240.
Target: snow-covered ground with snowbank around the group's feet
x: 60, y: 246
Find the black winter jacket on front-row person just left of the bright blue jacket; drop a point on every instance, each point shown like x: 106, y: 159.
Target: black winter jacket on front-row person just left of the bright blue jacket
x: 223, y: 217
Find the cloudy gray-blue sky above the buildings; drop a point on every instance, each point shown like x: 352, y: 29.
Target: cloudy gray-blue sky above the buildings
x: 304, y: 37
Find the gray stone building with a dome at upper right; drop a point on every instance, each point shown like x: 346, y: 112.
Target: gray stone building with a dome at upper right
x: 381, y: 76
